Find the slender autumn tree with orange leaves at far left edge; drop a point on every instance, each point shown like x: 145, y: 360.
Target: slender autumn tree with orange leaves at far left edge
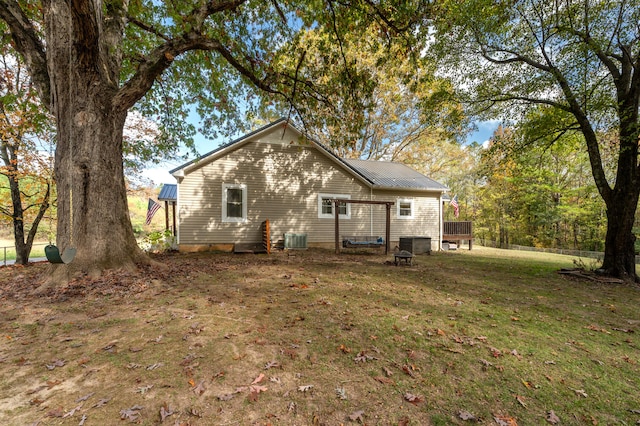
x: 25, y: 175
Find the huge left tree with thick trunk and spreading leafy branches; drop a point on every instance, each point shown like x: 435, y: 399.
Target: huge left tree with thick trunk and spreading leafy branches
x: 91, y: 62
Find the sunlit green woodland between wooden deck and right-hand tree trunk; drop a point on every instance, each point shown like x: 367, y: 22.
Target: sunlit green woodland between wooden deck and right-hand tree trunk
x: 539, y: 194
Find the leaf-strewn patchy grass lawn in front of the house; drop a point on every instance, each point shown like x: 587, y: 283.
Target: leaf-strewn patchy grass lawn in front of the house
x: 309, y: 337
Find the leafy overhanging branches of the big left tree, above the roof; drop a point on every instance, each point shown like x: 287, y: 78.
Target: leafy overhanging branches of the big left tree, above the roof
x: 303, y: 59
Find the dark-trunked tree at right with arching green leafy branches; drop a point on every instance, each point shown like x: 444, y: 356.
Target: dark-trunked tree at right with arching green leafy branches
x: 578, y: 57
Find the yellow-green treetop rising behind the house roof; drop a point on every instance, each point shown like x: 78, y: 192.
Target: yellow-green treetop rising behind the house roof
x: 393, y: 99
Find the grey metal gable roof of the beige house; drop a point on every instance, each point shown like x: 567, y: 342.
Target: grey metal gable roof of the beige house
x: 376, y: 174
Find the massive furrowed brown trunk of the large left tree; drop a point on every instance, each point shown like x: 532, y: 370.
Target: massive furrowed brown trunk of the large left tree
x: 93, y: 215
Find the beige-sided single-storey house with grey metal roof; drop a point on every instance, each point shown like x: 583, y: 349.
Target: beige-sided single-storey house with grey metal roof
x: 277, y: 174
